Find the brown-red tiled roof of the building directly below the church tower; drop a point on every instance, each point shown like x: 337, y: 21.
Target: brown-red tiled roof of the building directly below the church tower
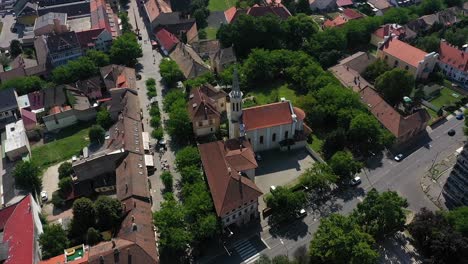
x: 228, y: 189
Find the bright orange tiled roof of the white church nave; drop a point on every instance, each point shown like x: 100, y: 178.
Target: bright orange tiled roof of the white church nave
x: 267, y: 116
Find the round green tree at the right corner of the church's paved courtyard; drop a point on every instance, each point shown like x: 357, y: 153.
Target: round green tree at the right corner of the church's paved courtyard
x: 319, y: 177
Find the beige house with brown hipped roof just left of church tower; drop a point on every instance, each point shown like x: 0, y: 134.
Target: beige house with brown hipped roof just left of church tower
x: 205, y: 106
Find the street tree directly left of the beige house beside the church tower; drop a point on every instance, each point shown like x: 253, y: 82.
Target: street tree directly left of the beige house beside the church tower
x: 179, y: 125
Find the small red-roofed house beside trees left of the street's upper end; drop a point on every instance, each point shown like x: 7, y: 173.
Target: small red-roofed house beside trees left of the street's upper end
x: 98, y: 39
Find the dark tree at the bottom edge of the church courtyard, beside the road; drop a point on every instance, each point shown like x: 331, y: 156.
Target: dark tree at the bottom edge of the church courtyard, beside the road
x: 284, y: 202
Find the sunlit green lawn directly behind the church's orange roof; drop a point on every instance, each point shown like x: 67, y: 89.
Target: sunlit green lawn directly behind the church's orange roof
x: 272, y: 93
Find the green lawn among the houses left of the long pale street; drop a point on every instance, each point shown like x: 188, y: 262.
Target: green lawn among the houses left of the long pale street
x: 71, y: 142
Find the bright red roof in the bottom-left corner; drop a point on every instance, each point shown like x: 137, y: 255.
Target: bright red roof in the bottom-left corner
x: 18, y: 232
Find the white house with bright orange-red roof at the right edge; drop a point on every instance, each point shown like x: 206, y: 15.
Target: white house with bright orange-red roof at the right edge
x: 454, y: 62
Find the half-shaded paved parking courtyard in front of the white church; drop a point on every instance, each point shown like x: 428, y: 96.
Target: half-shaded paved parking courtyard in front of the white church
x: 279, y: 168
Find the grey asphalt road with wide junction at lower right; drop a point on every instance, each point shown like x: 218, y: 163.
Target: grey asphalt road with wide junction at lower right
x: 383, y: 174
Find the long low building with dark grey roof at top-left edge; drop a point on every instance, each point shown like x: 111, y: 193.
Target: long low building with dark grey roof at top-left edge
x: 75, y: 9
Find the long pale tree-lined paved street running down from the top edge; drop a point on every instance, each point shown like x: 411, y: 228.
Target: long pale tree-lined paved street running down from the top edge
x: 149, y: 68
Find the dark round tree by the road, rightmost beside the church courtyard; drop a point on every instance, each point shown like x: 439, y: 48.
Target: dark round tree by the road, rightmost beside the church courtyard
x: 343, y: 164
